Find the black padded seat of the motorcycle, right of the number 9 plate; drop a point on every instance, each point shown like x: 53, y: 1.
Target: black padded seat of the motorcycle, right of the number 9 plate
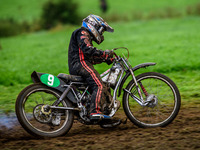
x: 72, y: 78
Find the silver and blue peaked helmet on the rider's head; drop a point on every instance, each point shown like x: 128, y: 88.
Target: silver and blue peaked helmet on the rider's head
x: 96, y: 26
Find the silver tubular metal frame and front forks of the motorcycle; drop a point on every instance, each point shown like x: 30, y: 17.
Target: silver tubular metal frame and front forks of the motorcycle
x: 126, y: 67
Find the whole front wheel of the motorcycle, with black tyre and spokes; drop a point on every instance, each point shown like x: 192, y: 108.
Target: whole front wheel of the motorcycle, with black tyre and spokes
x: 161, y: 96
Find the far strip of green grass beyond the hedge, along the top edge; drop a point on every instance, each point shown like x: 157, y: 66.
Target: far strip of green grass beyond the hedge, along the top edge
x: 23, y: 10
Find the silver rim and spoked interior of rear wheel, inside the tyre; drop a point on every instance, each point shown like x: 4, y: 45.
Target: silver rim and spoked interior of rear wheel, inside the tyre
x: 39, y: 97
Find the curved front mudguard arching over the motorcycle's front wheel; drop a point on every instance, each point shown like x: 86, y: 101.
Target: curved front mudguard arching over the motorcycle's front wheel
x: 144, y: 65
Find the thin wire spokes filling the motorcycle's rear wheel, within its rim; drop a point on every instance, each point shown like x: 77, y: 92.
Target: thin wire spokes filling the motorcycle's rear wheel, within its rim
x: 40, y: 121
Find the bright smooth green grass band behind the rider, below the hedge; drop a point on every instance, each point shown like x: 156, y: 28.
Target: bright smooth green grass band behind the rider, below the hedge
x: 173, y: 44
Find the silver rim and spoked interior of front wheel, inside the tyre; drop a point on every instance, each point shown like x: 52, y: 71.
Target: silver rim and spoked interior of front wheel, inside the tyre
x: 166, y: 101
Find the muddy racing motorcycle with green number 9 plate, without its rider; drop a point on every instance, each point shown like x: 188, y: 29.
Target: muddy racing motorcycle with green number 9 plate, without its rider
x: 49, y: 106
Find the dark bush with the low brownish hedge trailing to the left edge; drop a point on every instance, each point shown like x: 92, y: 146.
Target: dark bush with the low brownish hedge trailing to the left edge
x: 54, y: 12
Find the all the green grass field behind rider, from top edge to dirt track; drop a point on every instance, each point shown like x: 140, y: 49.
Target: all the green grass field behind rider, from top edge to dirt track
x: 172, y: 43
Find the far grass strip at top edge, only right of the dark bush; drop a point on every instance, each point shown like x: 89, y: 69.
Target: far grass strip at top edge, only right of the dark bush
x: 129, y: 6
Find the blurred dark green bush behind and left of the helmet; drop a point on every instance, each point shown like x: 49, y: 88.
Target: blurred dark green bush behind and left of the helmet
x: 59, y: 11
